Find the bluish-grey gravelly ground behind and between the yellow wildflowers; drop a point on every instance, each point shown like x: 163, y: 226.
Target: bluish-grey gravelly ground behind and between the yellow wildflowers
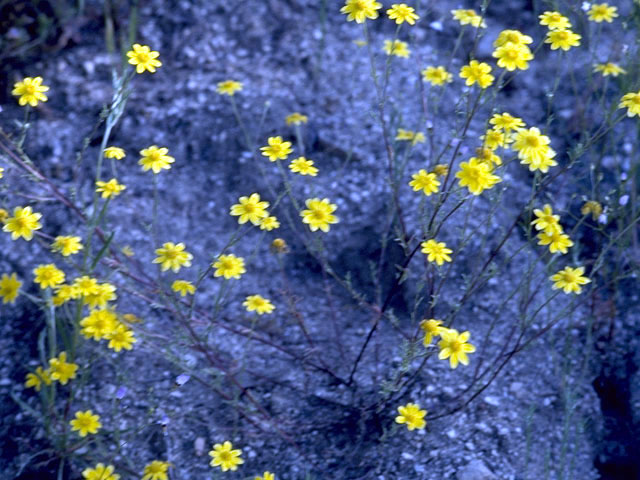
x: 544, y: 415
